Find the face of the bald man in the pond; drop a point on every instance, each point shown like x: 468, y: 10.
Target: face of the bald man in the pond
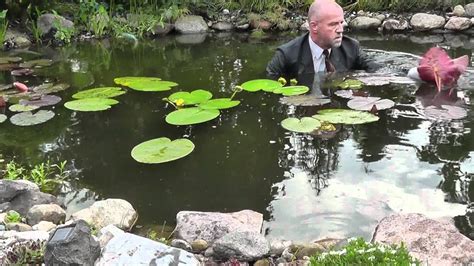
x: 327, y: 30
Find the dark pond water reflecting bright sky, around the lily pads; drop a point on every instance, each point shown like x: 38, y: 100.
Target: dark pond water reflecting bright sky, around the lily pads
x: 307, y: 187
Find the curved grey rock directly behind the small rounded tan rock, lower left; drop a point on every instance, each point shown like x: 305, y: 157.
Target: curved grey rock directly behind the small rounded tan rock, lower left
x: 24, y: 201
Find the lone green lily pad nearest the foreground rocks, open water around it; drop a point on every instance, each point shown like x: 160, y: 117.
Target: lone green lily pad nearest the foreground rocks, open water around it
x: 161, y: 150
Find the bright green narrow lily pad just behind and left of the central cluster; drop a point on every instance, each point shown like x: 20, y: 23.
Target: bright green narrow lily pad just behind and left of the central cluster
x: 145, y: 83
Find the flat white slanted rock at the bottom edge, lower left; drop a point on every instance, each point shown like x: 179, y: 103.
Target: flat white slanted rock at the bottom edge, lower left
x: 128, y: 249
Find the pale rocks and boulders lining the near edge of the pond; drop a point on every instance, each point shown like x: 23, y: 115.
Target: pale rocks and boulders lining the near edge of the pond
x: 205, y: 238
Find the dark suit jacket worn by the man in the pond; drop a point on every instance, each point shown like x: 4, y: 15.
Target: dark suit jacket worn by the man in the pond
x: 294, y: 58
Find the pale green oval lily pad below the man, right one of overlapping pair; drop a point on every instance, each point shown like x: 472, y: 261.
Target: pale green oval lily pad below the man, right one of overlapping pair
x: 341, y: 116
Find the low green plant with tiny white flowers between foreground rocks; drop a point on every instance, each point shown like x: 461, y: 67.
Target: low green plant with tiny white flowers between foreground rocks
x: 359, y: 252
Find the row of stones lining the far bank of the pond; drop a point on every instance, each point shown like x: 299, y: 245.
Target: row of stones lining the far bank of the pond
x: 460, y: 20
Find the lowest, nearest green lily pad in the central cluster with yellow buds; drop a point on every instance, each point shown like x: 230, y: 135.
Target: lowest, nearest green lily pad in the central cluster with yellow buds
x: 190, y: 116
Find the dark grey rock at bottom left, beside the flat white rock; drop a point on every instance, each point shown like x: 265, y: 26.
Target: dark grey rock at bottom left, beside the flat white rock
x: 76, y: 246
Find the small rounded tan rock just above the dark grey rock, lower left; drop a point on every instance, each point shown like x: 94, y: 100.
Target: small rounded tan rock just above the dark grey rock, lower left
x: 46, y: 212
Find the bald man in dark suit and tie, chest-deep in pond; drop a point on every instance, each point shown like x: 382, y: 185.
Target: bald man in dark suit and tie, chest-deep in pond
x: 322, y: 49
